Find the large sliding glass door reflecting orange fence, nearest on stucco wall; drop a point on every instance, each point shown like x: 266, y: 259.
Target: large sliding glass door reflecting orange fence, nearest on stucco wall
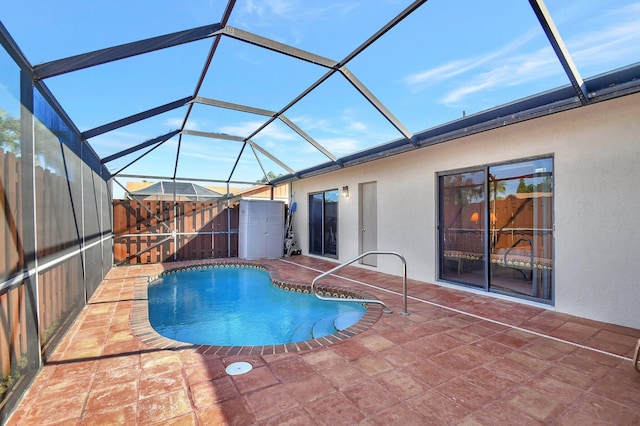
x: 496, y: 228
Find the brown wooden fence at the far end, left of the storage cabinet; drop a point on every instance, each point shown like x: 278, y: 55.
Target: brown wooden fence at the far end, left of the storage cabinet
x: 157, y: 231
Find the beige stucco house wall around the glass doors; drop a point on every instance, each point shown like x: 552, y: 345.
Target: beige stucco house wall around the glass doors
x: 596, y: 152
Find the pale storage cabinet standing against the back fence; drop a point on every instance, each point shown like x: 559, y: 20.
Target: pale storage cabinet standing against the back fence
x: 261, y: 229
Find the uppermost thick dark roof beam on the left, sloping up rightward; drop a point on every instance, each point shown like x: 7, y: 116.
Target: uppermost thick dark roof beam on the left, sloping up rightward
x: 110, y: 54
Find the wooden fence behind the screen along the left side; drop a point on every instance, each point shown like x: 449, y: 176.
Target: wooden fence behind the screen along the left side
x: 60, y: 288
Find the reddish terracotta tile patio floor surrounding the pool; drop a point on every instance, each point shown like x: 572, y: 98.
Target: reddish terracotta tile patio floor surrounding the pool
x: 458, y: 358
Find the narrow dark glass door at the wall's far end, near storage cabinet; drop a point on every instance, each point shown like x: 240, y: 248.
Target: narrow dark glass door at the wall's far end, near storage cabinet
x: 323, y: 223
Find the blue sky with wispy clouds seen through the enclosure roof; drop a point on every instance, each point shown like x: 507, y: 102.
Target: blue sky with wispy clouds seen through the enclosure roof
x: 447, y: 58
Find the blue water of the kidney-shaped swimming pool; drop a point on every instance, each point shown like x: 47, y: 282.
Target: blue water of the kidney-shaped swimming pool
x: 238, y: 306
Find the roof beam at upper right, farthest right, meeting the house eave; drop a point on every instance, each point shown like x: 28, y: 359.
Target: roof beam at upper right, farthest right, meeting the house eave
x: 549, y: 27
